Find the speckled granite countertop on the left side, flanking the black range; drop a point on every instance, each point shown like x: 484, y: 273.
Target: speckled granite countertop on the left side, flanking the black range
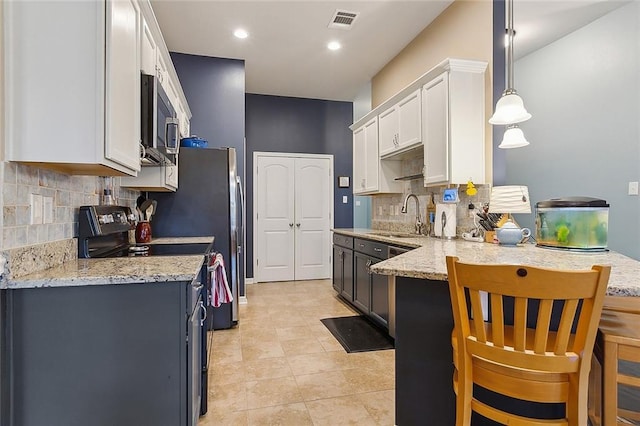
x: 117, y: 270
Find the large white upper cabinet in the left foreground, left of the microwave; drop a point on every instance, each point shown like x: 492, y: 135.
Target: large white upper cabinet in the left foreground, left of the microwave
x: 72, y: 75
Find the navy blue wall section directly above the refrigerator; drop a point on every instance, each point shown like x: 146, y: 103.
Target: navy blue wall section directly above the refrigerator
x: 214, y: 88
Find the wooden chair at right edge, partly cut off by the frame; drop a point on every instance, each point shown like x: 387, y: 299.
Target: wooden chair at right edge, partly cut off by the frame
x: 618, y: 340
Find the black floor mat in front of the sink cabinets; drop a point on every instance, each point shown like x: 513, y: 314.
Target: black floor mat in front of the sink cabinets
x: 357, y: 334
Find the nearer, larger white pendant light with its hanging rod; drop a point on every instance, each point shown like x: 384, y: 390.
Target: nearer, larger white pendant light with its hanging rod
x: 510, y: 108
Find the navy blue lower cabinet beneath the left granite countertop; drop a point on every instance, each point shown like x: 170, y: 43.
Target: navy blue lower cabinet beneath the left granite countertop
x: 103, y: 355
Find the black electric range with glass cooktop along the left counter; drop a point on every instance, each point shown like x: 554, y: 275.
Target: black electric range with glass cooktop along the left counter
x: 103, y: 232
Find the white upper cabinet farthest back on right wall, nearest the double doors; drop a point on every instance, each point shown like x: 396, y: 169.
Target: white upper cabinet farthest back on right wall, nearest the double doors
x: 371, y: 175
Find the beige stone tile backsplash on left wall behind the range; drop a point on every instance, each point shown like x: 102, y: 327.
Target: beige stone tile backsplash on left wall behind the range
x: 68, y: 193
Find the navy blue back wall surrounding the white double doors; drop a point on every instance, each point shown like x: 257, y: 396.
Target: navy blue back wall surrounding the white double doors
x: 296, y: 125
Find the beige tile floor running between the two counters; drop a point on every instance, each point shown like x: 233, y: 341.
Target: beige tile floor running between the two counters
x: 281, y: 366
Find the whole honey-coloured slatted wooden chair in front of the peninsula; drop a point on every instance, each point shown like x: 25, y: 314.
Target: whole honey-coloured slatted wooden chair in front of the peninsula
x: 538, y: 364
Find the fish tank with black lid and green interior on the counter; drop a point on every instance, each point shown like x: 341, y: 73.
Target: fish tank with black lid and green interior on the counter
x: 578, y: 223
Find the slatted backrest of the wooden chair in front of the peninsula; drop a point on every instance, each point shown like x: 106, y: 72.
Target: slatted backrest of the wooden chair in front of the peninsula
x: 540, y: 346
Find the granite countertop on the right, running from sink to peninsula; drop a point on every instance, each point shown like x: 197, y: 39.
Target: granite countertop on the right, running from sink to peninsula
x: 428, y: 260
